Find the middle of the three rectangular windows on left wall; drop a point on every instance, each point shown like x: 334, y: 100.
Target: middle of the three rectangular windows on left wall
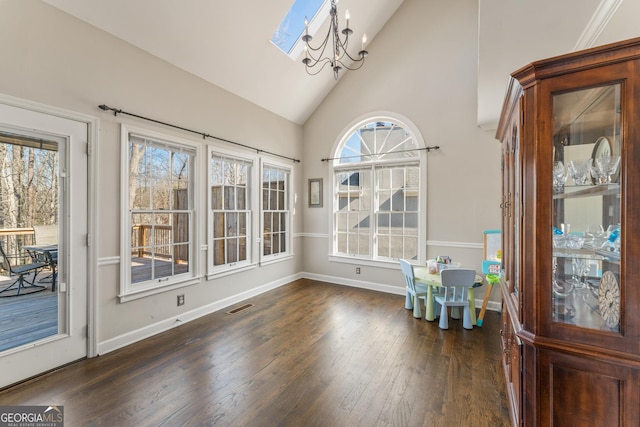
x: 230, y: 211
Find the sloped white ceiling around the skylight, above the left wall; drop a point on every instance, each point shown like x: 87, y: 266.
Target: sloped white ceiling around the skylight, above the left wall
x: 228, y: 43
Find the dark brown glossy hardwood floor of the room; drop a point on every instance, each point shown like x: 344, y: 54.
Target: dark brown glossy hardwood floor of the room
x: 306, y: 354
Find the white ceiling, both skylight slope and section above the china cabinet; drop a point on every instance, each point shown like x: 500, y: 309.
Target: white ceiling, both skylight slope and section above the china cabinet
x: 228, y: 42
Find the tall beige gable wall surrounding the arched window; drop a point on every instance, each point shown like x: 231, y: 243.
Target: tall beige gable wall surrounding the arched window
x: 422, y: 65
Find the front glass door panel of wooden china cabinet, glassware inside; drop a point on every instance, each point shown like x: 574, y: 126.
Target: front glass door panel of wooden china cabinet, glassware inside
x: 586, y: 207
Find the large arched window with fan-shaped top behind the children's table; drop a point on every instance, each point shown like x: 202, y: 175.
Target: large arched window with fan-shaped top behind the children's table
x: 379, y: 191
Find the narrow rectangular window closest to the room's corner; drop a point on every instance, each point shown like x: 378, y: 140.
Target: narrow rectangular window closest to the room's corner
x: 275, y: 210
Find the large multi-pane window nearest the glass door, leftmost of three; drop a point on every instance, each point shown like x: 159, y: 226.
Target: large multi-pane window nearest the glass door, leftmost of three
x: 158, y: 239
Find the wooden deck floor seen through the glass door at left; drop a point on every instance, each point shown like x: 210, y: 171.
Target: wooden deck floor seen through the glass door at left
x: 27, y: 318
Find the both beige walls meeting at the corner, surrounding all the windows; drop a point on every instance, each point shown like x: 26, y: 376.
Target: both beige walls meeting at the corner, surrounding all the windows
x: 422, y: 66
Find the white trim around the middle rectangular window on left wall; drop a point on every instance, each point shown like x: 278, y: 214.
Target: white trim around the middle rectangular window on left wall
x: 254, y: 199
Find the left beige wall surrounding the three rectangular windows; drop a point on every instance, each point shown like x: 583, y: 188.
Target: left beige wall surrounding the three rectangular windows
x: 51, y: 58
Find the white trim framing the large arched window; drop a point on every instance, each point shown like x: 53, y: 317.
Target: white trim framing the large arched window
x: 372, y: 259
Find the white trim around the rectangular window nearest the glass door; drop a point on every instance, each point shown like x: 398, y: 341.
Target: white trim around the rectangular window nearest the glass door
x: 129, y: 291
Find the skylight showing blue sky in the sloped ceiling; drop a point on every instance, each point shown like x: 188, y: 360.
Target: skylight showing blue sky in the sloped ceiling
x: 292, y: 25
